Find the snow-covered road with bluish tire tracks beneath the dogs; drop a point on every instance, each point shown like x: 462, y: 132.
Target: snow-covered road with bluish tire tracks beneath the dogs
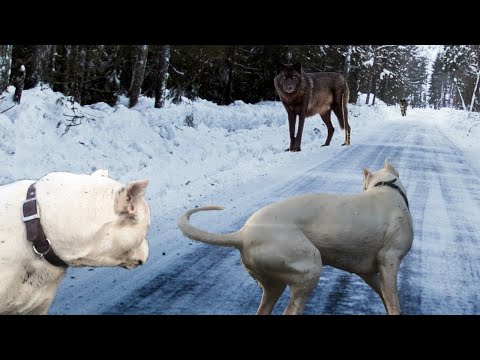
x: 440, y: 275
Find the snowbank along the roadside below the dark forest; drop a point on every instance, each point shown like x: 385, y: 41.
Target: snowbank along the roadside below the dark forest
x: 186, y: 150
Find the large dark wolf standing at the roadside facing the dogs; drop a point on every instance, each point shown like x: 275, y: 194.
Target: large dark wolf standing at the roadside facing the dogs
x: 307, y: 94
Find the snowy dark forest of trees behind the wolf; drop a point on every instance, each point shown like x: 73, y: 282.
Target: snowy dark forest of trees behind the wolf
x: 226, y: 73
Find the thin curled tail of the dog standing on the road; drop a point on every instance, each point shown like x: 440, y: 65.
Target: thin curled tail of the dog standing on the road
x: 231, y: 239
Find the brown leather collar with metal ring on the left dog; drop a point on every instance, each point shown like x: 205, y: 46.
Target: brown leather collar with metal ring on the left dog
x: 35, y: 234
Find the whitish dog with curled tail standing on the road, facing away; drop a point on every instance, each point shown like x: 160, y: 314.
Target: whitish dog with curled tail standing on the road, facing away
x: 288, y: 242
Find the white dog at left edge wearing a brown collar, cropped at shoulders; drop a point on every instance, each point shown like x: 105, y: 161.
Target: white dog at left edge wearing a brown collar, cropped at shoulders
x: 89, y: 220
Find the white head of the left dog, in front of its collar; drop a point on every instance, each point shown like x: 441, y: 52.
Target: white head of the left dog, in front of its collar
x: 93, y: 220
